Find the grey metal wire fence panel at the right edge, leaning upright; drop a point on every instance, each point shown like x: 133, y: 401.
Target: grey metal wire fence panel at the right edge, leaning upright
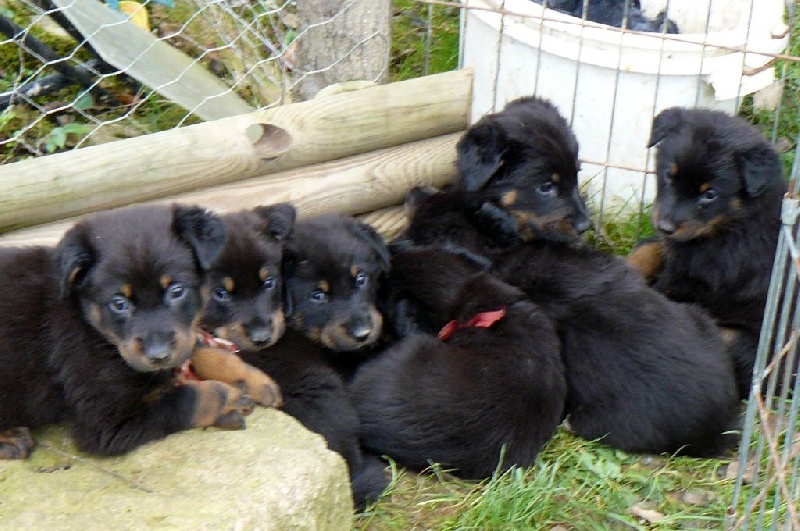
x: 767, y: 493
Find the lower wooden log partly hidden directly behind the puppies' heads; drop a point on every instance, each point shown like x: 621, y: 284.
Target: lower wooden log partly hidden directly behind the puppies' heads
x: 355, y: 185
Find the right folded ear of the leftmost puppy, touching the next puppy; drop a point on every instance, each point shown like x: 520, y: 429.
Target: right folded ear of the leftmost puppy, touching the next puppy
x: 202, y: 230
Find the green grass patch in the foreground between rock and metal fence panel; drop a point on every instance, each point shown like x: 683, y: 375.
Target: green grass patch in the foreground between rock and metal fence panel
x: 575, y: 484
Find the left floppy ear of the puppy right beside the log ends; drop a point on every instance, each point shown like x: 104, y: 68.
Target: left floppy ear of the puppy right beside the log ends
x: 480, y: 155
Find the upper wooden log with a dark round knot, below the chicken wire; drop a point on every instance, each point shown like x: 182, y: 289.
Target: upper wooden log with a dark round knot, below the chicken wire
x: 64, y: 185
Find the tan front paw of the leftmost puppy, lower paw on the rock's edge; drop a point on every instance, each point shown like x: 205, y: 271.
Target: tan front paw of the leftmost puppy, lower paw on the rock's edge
x: 219, y: 404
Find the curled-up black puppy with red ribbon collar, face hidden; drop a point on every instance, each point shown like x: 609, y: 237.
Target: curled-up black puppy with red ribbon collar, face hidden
x: 486, y: 394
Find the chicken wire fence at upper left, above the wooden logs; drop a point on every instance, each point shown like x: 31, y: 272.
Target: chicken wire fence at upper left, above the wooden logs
x: 83, y: 72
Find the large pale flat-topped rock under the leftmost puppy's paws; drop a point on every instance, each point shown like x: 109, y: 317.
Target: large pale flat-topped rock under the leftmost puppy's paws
x: 273, y: 475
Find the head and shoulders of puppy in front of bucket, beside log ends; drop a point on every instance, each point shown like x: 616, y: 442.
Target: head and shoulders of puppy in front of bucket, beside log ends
x: 522, y: 161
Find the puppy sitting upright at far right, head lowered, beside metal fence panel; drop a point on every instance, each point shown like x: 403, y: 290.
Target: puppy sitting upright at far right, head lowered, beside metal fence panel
x: 717, y: 212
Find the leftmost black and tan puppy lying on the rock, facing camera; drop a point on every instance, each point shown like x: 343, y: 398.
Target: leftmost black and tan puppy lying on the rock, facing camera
x: 93, y: 330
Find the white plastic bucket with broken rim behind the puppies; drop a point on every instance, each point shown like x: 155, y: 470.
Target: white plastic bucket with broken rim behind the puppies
x: 609, y: 84
